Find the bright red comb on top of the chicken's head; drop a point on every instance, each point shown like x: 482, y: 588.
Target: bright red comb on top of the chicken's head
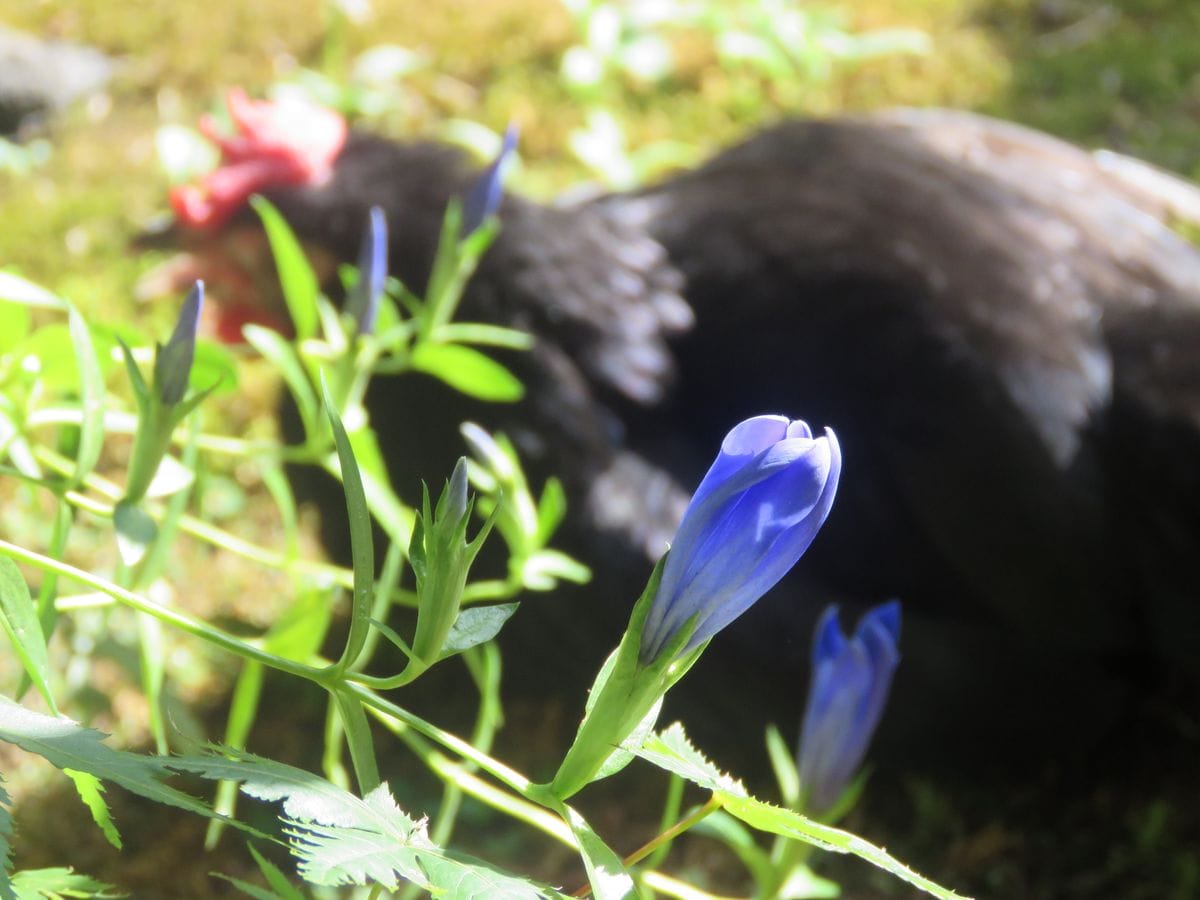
x: 275, y: 143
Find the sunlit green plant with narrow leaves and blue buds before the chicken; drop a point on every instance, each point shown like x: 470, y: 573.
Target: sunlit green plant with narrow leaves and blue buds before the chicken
x: 344, y: 827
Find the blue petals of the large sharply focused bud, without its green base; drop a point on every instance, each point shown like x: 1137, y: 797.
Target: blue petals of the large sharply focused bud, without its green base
x: 753, y: 517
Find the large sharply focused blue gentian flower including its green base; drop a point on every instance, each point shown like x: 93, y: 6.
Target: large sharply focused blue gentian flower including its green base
x: 755, y: 513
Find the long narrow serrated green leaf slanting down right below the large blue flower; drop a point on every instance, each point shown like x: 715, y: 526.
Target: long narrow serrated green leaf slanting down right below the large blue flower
x: 673, y: 752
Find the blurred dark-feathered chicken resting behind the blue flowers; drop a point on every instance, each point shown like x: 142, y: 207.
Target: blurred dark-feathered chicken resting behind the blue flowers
x: 1003, y: 329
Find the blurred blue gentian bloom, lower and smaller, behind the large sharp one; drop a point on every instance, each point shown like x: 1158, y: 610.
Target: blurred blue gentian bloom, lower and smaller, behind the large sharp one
x: 849, y: 691
